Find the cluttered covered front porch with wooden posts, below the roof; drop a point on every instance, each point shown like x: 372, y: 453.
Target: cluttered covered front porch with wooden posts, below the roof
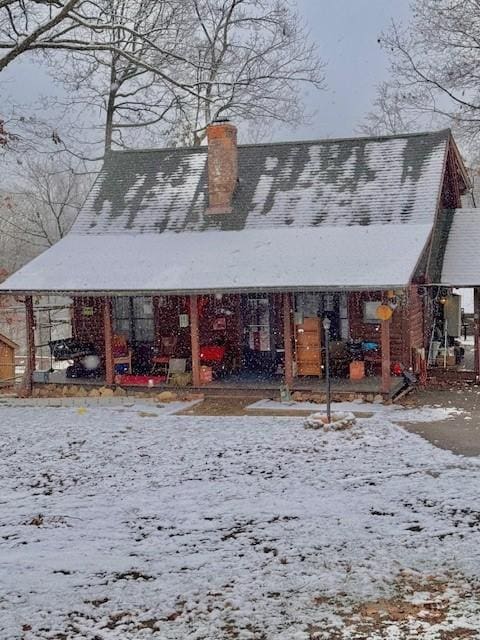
x: 225, y: 342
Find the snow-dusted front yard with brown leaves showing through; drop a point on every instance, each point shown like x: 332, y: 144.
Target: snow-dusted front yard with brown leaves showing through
x: 122, y: 523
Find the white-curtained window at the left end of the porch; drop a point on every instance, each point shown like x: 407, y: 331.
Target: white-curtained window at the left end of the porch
x: 133, y: 318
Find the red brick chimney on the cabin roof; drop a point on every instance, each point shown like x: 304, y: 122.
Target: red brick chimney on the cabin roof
x: 222, y: 166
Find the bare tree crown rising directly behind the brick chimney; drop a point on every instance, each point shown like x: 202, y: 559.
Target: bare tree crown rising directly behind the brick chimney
x: 254, y: 57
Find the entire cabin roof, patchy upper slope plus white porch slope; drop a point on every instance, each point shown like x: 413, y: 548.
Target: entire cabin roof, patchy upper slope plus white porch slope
x: 354, y: 213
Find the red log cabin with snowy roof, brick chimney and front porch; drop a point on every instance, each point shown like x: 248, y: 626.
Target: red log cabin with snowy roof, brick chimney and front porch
x: 228, y: 257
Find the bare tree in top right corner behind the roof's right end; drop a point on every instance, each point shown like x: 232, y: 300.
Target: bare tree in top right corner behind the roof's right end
x: 435, y: 67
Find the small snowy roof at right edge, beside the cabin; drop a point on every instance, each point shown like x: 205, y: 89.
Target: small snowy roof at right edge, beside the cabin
x: 461, y: 263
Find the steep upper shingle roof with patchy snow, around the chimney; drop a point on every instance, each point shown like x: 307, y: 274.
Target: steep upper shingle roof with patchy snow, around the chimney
x: 358, y: 181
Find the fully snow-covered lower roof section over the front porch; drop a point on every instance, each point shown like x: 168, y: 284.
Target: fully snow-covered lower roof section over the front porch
x: 355, y: 257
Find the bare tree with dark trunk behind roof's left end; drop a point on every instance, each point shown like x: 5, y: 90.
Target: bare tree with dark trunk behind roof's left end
x: 130, y: 96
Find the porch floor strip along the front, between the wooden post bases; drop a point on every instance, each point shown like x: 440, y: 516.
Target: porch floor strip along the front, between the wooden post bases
x: 250, y: 382
